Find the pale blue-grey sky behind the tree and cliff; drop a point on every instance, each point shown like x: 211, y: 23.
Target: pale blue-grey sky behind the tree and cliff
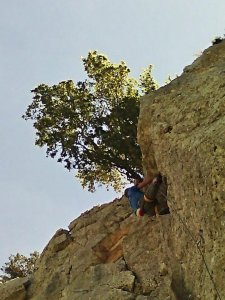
x: 42, y: 41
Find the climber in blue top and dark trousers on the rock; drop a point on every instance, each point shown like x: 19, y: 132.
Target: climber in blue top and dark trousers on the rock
x: 144, y: 202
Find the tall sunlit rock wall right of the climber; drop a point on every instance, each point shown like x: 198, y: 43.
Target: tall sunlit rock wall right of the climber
x: 182, y: 134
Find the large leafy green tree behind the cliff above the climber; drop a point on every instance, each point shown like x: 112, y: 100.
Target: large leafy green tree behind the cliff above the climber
x: 91, y: 126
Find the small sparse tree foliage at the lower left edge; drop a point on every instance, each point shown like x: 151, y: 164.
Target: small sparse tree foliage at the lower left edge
x: 18, y: 266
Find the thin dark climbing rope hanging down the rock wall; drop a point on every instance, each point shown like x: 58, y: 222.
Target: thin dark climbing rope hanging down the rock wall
x: 196, y: 243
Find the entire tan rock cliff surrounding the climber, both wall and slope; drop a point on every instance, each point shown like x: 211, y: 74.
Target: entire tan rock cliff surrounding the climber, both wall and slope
x: 108, y: 253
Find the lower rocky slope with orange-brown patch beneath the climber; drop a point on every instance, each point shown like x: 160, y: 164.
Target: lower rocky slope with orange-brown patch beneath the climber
x: 107, y: 253
